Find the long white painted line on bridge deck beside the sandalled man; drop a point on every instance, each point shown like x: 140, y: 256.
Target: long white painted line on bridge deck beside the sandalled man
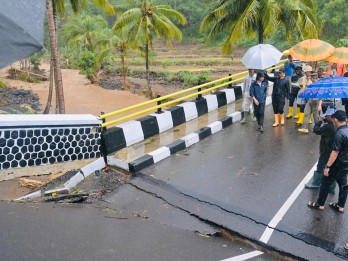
x: 282, y: 211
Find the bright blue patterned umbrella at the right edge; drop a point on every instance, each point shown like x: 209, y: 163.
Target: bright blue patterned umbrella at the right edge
x: 326, y: 88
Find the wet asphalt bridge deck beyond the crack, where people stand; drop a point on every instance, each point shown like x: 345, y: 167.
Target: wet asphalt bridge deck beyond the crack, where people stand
x: 240, y: 179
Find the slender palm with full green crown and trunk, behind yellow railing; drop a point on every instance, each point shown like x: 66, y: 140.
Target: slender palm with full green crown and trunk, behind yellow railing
x: 146, y: 20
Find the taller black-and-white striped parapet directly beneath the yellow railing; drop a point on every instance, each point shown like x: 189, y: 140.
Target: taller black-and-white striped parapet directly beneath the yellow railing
x: 129, y: 133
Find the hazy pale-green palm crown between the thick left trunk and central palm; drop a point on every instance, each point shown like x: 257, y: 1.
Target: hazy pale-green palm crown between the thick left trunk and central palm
x: 81, y: 30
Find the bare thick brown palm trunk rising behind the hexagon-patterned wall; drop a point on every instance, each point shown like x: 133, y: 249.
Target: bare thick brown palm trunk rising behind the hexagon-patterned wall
x: 55, y: 55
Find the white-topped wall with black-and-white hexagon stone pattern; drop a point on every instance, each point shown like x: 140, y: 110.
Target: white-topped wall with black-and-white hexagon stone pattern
x: 34, y: 140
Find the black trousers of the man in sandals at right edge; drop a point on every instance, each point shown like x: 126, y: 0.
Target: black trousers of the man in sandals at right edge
x: 335, y: 175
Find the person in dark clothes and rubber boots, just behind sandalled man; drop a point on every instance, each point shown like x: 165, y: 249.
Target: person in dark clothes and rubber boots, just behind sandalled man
x: 326, y: 129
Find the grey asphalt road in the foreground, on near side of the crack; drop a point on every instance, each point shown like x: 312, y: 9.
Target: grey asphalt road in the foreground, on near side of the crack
x: 99, y: 231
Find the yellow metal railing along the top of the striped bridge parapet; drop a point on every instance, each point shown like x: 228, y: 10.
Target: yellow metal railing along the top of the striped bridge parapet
x: 231, y: 79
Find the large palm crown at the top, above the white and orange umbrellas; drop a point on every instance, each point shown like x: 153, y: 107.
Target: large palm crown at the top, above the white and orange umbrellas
x: 262, y: 17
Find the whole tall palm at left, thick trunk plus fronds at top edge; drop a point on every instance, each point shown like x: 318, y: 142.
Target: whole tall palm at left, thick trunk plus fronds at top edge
x: 53, y: 6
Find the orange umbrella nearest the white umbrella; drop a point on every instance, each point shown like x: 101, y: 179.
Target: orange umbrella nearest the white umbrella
x: 311, y: 50
